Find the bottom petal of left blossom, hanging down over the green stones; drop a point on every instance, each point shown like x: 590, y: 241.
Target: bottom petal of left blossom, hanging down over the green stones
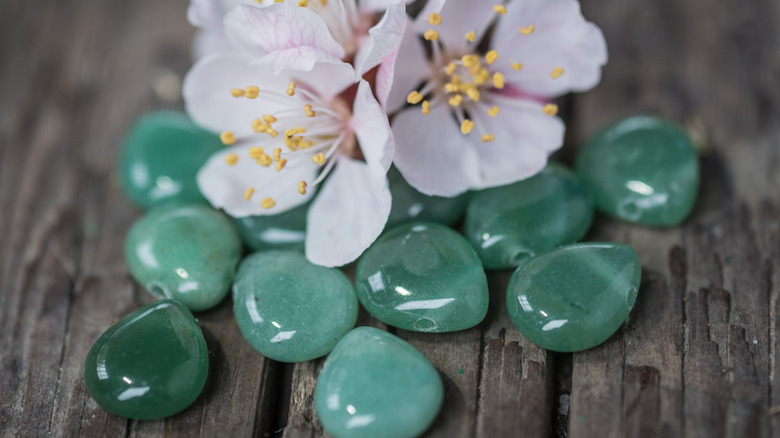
x: 347, y: 215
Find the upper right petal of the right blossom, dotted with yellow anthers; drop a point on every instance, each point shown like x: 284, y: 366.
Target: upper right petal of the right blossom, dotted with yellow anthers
x: 561, y: 39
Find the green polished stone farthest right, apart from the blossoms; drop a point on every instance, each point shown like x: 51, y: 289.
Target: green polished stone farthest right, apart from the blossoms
x: 641, y: 169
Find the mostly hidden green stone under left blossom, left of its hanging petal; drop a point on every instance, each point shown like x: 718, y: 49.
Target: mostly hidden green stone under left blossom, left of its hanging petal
x: 286, y: 230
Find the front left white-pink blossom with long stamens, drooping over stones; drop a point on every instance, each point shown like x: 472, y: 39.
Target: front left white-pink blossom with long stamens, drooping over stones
x: 289, y: 131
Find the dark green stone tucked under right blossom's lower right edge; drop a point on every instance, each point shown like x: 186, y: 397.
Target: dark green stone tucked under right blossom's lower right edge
x: 510, y: 223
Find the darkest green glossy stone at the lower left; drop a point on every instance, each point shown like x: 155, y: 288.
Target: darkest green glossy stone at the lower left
x: 151, y: 364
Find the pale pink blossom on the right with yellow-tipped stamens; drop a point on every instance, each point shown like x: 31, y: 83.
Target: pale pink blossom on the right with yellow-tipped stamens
x: 482, y: 118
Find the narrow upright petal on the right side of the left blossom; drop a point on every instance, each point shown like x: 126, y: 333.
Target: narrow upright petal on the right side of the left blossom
x: 370, y: 124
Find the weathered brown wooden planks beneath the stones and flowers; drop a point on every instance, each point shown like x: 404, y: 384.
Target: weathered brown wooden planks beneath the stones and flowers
x: 696, y: 358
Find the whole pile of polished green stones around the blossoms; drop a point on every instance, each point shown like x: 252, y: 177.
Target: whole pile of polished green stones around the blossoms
x: 420, y: 275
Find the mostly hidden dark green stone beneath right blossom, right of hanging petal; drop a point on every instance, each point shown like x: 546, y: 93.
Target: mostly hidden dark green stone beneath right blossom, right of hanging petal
x: 411, y: 205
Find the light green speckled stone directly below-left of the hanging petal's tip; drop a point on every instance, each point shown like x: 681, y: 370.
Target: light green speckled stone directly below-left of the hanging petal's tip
x: 290, y: 309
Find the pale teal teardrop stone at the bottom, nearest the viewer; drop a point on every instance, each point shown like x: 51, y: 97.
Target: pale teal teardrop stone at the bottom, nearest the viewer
x: 376, y: 385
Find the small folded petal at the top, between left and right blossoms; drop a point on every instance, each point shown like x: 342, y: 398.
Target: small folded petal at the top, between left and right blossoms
x: 383, y: 39
